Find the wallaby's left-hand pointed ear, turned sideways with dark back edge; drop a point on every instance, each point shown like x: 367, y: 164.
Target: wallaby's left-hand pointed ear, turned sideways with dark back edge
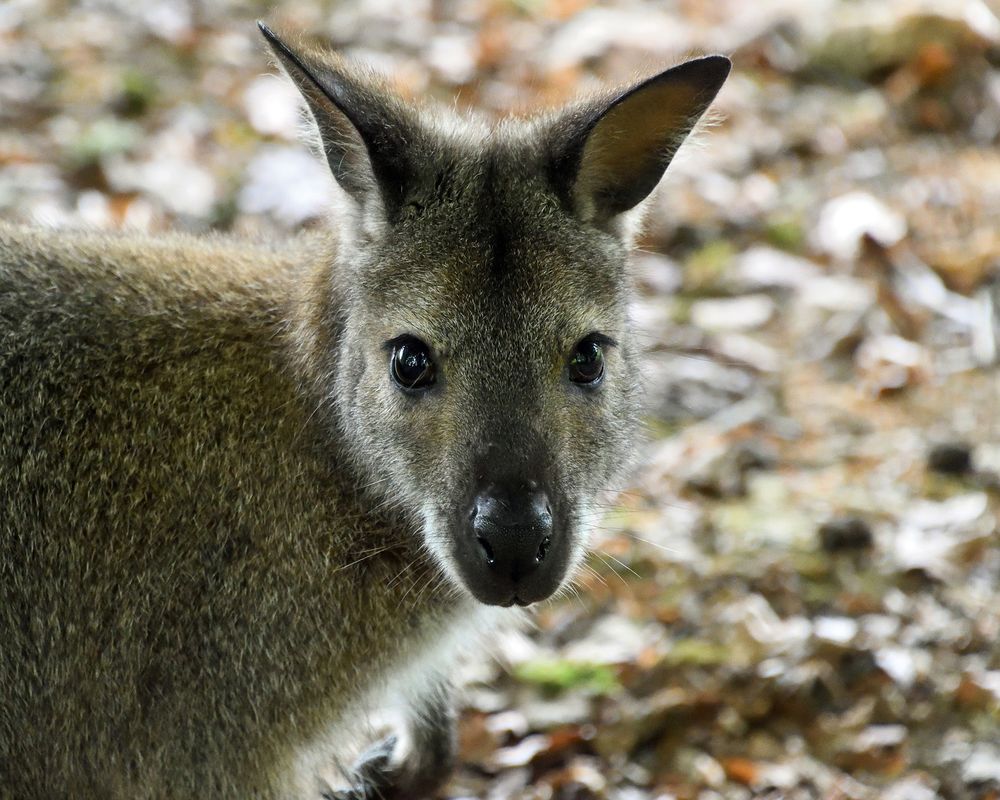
x: 366, y: 131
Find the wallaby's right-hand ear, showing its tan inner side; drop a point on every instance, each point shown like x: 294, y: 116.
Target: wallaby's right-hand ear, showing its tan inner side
x: 609, y: 156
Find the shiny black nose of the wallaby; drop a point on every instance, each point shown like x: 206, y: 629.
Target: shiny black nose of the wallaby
x: 513, y: 530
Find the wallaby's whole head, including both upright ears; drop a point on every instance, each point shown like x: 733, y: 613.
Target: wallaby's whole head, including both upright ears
x: 483, y: 370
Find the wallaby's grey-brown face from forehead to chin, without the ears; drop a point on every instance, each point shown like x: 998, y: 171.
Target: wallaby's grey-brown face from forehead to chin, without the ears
x: 495, y: 382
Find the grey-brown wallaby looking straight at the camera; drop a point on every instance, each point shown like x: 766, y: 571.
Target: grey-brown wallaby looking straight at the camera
x: 247, y: 492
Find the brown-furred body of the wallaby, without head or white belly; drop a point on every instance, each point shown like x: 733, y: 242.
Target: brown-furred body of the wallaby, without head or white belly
x: 174, y: 536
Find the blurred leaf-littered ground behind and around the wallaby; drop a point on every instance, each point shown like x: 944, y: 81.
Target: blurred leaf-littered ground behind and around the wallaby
x: 797, y: 594
